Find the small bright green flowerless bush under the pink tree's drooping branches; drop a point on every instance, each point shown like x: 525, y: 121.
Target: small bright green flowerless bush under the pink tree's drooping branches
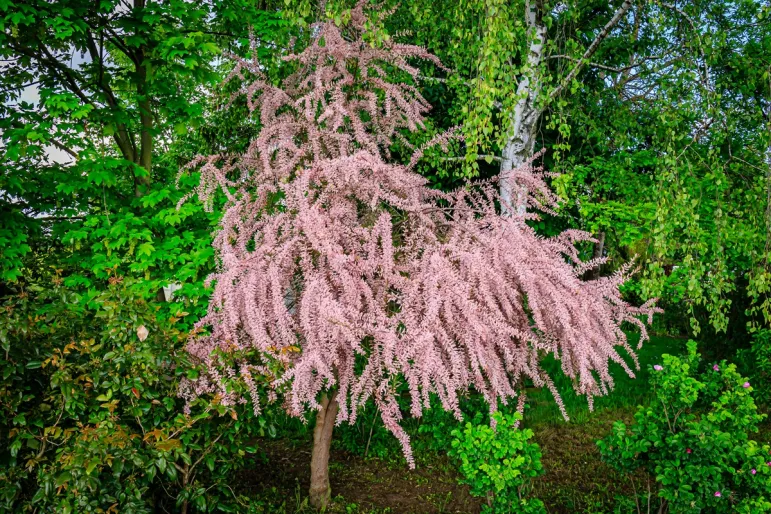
x: 499, y: 463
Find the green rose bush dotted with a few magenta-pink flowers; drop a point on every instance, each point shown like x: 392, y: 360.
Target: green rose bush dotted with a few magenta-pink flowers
x: 694, y: 439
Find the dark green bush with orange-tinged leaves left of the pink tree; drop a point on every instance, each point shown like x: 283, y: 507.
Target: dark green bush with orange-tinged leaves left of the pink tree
x: 89, y: 416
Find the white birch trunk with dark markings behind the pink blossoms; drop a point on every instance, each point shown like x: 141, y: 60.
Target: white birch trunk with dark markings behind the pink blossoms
x: 524, y: 121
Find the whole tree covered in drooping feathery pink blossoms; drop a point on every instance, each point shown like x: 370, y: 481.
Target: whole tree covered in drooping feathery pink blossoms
x: 342, y: 274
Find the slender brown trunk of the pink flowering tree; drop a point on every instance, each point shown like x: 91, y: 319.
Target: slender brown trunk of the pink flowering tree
x: 320, y: 491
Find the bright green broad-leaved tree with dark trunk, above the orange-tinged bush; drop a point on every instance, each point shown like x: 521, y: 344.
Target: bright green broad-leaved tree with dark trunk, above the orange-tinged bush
x: 95, y: 97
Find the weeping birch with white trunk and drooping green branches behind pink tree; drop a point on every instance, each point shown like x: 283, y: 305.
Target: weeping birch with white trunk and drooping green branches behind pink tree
x: 638, y: 104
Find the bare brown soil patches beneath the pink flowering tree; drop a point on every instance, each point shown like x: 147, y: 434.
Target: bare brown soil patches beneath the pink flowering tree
x: 576, y: 480
